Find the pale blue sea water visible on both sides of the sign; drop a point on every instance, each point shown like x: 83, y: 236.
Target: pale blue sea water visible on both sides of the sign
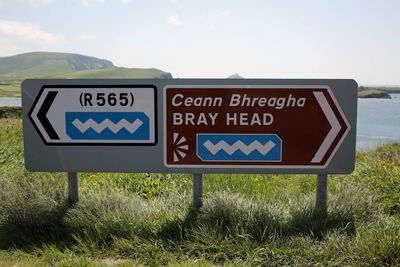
x: 378, y: 120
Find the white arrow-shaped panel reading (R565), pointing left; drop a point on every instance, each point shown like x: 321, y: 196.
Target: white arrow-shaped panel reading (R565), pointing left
x: 96, y: 115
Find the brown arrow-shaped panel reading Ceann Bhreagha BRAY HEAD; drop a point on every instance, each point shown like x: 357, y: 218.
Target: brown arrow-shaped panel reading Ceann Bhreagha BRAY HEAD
x: 251, y: 126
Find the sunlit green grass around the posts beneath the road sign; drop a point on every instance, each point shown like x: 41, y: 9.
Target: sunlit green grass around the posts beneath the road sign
x: 126, y: 219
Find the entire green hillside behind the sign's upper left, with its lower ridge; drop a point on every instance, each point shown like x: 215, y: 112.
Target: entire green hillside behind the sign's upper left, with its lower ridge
x: 14, y: 69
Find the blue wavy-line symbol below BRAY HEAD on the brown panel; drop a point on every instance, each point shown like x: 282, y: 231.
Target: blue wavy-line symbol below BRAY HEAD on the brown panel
x: 239, y: 147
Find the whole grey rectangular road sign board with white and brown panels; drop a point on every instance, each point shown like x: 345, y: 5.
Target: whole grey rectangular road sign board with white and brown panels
x: 205, y: 125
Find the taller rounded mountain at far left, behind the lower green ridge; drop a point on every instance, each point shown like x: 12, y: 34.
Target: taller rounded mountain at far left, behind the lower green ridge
x: 48, y: 63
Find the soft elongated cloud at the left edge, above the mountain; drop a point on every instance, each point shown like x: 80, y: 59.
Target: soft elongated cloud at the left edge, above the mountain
x: 28, y: 32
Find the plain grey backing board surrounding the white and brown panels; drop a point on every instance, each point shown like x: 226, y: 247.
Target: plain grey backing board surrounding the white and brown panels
x: 132, y: 158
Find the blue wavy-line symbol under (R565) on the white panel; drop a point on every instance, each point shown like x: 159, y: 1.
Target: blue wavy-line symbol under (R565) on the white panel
x: 107, y: 125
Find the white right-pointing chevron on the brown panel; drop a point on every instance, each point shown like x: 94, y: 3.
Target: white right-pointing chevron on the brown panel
x: 335, y: 127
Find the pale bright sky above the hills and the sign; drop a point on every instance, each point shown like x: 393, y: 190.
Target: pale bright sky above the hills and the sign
x: 356, y: 39
